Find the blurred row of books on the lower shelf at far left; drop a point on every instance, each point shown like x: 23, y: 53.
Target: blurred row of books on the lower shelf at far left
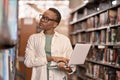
x: 7, y: 64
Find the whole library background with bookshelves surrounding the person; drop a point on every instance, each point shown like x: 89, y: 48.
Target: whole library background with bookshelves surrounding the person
x: 95, y: 22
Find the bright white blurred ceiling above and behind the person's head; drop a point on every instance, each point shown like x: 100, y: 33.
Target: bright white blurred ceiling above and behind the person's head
x: 32, y: 8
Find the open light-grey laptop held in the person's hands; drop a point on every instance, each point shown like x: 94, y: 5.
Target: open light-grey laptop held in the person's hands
x: 78, y: 55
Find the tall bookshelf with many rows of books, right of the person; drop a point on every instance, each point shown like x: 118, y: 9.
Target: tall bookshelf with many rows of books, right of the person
x: 98, y: 23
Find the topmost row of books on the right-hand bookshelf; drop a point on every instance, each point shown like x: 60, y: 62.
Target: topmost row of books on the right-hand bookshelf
x: 92, y: 8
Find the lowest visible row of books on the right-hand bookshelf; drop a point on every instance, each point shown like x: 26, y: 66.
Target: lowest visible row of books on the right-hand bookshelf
x: 98, y: 72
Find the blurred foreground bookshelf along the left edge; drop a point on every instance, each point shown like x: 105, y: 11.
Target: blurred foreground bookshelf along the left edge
x: 8, y: 38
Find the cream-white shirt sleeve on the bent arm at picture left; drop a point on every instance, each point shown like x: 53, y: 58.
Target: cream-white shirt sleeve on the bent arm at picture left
x: 30, y: 59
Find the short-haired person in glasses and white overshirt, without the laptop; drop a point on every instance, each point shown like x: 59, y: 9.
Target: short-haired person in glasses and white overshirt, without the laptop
x: 48, y: 52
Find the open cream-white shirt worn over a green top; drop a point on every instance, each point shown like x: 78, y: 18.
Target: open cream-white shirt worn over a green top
x: 35, y: 55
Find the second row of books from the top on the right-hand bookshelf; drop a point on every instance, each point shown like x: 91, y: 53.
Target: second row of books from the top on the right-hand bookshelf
x: 104, y: 19
